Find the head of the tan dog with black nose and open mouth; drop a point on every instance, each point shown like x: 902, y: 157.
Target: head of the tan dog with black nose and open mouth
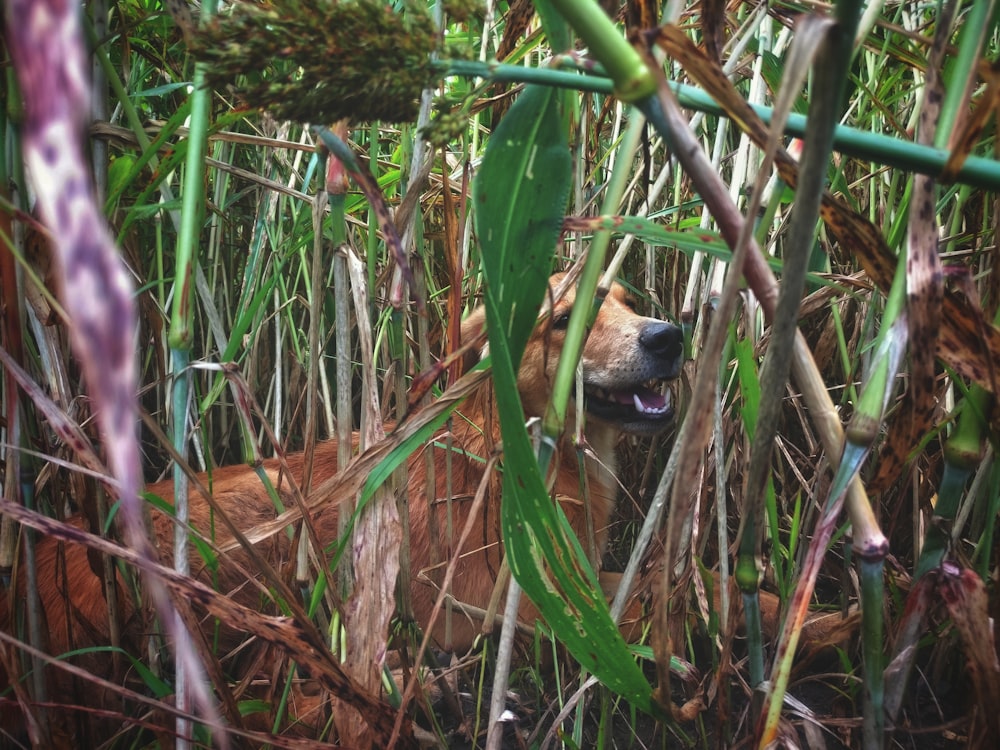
x: 625, y: 357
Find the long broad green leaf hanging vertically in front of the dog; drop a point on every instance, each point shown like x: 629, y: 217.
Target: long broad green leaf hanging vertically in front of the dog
x: 520, y: 195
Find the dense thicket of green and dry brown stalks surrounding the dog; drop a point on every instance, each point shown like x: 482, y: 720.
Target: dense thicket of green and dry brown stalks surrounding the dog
x: 297, y: 190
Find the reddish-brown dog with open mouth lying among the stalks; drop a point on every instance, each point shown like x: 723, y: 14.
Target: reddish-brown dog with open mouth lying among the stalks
x: 623, y: 353
